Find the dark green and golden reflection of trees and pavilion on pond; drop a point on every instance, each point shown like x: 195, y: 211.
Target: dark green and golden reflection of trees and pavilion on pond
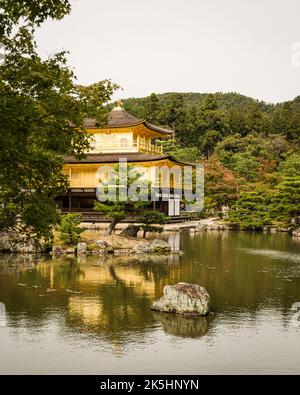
x: 108, y: 298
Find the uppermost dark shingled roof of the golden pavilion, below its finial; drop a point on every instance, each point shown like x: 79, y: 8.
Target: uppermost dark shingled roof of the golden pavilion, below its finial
x: 118, y: 117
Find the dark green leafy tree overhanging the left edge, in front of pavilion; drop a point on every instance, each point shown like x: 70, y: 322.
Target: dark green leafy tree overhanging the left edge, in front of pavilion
x: 41, y: 118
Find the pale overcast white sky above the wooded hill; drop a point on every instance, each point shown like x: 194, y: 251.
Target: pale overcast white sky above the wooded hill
x: 160, y: 46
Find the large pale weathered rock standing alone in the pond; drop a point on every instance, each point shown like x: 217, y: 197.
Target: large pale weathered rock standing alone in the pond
x: 183, y: 298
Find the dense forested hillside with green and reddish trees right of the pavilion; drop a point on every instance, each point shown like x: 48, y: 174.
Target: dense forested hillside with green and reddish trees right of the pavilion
x: 250, y: 150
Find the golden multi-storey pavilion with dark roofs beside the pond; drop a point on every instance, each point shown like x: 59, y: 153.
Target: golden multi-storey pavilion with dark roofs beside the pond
x: 125, y: 137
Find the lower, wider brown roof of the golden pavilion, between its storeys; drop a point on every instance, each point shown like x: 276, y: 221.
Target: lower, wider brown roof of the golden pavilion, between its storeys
x: 114, y: 158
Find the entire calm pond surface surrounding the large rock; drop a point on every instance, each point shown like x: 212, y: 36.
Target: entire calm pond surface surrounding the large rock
x: 93, y: 316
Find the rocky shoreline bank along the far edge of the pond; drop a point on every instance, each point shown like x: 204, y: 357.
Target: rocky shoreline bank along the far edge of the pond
x: 122, y: 245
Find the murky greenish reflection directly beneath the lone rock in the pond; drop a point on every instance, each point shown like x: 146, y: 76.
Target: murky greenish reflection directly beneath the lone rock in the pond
x: 183, y: 326
